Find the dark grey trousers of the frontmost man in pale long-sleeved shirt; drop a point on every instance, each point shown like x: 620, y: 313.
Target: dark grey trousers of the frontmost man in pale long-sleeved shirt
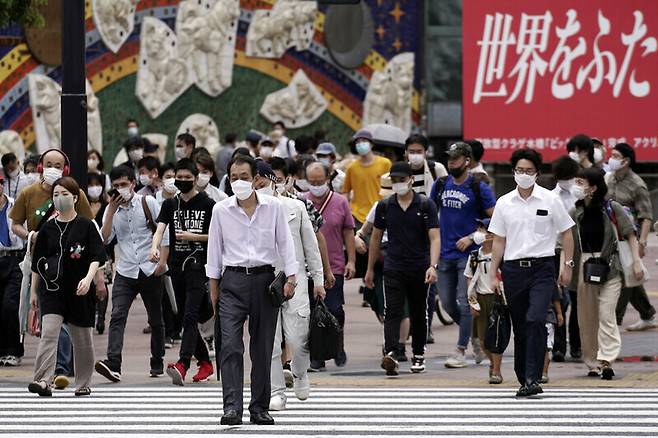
x: 244, y: 296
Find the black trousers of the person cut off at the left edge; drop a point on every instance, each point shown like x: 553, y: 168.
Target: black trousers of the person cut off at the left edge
x: 10, y: 291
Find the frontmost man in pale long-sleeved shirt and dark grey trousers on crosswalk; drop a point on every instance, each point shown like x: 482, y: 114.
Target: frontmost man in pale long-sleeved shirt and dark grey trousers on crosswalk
x: 248, y: 235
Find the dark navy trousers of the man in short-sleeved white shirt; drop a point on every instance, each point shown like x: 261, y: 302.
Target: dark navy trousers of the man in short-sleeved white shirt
x: 528, y: 292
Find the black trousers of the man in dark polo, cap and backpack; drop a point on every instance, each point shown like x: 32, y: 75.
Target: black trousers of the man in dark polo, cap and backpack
x: 398, y: 287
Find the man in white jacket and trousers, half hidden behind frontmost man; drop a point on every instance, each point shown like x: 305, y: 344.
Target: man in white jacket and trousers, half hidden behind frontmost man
x: 293, y: 317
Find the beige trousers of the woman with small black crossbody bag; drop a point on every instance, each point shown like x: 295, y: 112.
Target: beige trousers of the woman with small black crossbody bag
x: 599, y: 334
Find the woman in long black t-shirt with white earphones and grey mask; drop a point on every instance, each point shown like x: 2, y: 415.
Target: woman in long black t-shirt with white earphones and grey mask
x: 67, y: 254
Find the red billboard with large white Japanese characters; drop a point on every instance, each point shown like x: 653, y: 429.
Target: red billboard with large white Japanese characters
x: 536, y: 72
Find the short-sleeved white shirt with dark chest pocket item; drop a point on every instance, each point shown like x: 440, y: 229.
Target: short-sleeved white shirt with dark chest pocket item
x: 530, y: 226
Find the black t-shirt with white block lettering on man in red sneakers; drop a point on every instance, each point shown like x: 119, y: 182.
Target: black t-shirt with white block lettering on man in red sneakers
x: 195, y: 215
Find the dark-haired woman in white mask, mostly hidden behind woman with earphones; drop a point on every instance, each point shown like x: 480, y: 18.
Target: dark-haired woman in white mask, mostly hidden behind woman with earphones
x: 98, y: 202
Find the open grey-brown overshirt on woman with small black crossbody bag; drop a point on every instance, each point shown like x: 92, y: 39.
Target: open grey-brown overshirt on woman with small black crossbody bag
x: 609, y: 250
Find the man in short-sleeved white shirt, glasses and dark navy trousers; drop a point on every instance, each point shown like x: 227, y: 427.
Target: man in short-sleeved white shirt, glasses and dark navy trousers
x: 526, y: 223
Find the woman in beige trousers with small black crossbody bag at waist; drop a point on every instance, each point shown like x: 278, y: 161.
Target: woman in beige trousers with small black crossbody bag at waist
x: 598, y: 225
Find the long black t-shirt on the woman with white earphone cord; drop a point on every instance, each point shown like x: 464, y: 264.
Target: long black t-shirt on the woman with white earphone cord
x: 62, y: 255
